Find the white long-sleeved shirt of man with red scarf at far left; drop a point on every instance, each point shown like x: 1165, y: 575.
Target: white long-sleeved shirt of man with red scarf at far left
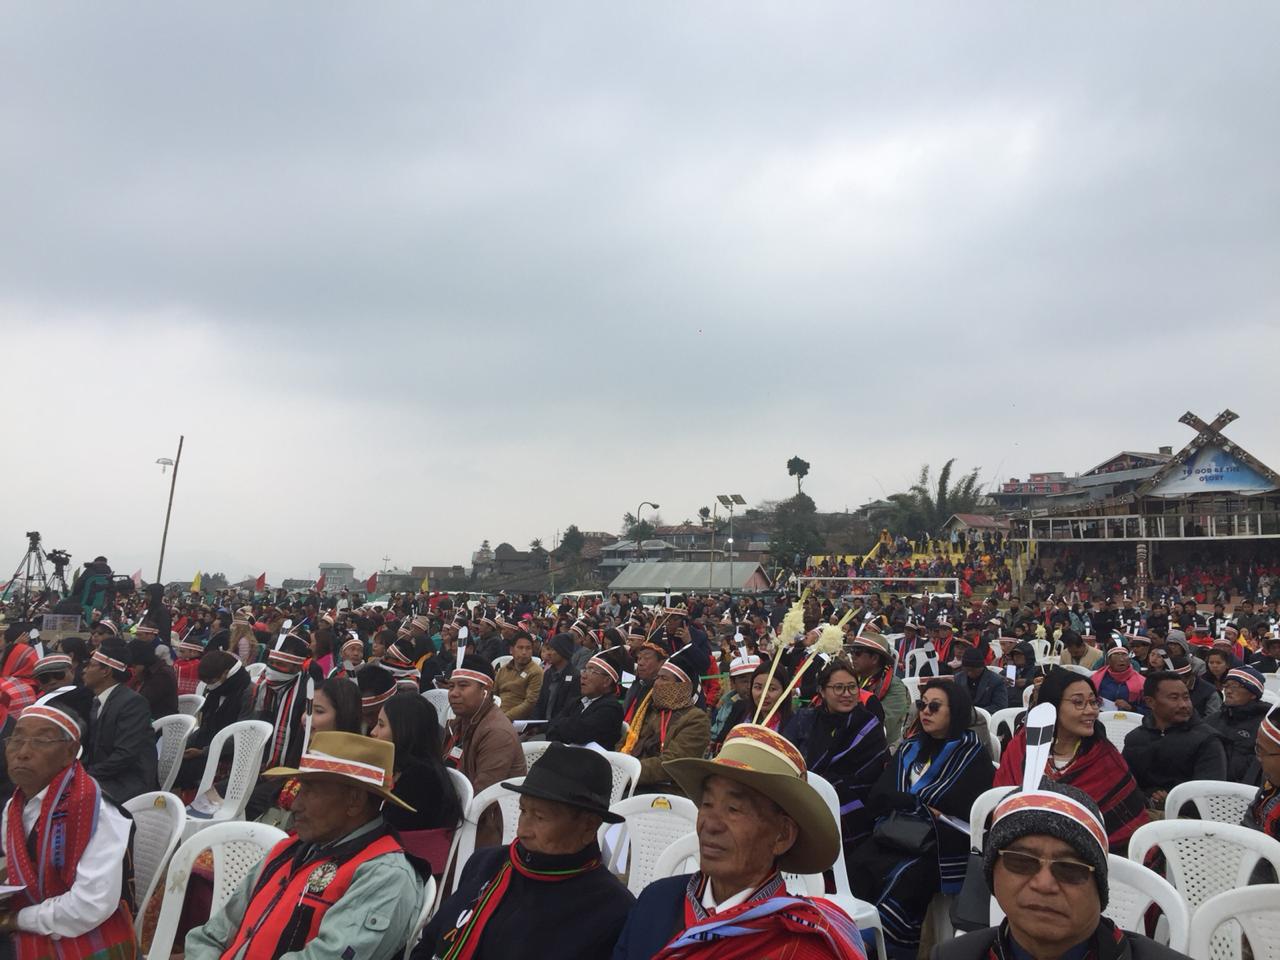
x: 97, y: 893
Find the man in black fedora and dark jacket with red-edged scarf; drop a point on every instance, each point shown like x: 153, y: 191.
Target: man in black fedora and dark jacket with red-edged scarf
x: 548, y: 894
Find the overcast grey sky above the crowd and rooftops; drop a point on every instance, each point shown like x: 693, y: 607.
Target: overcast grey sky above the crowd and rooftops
x: 414, y: 276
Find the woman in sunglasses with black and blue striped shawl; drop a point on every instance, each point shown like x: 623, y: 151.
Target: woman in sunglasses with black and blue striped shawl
x: 915, y: 852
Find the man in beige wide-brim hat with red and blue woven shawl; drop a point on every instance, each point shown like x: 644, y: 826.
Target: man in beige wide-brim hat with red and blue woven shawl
x: 757, y: 817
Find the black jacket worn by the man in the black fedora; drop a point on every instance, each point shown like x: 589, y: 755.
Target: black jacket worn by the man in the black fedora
x: 579, y: 918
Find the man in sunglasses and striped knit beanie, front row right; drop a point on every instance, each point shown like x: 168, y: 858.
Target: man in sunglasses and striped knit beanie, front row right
x: 1046, y: 862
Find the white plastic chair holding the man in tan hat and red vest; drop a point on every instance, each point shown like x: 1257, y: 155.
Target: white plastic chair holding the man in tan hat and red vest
x: 237, y: 847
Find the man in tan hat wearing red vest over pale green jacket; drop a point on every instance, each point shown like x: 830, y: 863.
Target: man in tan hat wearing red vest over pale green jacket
x: 341, y: 888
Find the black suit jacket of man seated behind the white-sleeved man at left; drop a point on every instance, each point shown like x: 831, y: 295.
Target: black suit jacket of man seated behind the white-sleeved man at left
x: 122, y: 752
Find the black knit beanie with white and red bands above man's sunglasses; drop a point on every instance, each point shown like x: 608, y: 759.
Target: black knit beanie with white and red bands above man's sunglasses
x: 1055, y: 811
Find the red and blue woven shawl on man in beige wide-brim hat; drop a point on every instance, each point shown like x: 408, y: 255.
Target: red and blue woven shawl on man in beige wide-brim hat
x: 769, y: 925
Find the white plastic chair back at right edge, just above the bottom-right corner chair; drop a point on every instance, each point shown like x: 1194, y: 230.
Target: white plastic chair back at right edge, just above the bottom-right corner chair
x: 1204, y: 858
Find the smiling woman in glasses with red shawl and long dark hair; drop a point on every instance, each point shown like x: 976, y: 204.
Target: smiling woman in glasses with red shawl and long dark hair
x: 1082, y: 757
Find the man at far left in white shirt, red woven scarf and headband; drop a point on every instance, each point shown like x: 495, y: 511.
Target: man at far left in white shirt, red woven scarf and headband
x: 66, y: 844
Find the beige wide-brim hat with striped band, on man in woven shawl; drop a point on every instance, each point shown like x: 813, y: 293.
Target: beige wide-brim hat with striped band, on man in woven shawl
x: 769, y: 764
